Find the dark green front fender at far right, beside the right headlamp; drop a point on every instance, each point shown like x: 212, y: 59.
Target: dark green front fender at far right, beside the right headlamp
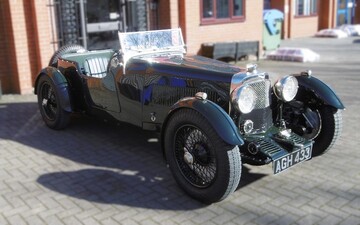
x: 321, y: 90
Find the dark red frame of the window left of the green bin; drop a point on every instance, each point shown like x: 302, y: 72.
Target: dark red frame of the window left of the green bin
x: 230, y: 19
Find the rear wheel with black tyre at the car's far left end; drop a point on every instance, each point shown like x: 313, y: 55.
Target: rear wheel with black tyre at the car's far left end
x: 49, y: 104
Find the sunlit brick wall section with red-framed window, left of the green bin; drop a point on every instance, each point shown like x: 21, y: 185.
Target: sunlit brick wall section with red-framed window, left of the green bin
x: 200, y: 26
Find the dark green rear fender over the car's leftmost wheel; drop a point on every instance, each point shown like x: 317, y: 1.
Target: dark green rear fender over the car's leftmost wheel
x: 61, y: 84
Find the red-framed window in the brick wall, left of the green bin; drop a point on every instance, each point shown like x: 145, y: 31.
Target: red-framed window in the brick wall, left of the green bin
x: 220, y: 11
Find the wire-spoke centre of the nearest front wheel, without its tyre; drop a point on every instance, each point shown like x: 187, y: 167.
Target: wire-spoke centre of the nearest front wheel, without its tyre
x: 195, y: 156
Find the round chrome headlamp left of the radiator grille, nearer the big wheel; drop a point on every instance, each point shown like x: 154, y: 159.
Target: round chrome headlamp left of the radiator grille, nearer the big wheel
x: 245, y: 99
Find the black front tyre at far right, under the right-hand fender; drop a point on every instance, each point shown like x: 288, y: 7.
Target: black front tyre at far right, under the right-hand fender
x: 330, y: 130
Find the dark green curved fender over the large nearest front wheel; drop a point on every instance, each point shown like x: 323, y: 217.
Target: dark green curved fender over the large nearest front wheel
x: 217, y: 117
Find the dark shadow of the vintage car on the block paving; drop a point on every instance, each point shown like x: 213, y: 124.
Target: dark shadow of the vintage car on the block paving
x: 113, y: 163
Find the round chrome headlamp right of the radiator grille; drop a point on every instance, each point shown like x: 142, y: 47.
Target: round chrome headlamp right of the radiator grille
x: 286, y: 88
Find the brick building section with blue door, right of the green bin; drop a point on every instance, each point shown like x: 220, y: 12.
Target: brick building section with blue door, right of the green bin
x: 305, y: 17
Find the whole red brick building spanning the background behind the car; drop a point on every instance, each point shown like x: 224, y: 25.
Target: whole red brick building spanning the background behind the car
x: 31, y: 30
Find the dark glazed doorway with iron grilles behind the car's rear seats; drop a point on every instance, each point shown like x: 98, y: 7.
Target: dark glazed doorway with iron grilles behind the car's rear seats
x: 95, y: 24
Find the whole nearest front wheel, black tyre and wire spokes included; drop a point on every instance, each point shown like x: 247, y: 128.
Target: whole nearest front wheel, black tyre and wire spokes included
x: 204, y: 166
